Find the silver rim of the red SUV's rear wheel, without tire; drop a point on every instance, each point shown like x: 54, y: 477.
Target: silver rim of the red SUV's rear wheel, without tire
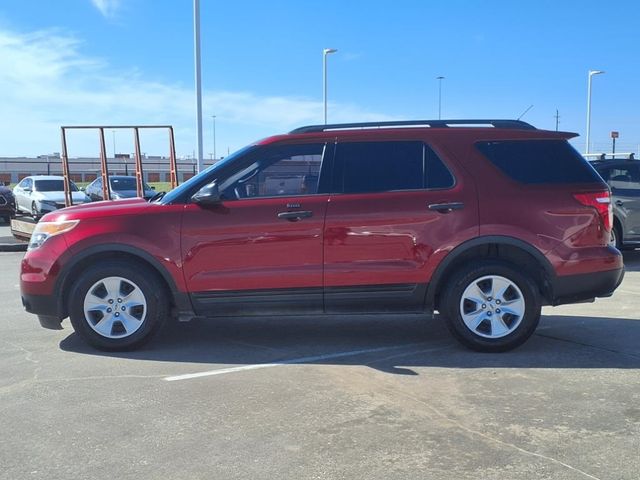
x: 492, y: 306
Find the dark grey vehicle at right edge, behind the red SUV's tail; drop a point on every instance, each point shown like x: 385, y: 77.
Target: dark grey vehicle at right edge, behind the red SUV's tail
x: 623, y: 177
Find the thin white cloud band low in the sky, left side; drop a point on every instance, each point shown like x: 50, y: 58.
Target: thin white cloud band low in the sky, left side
x: 46, y: 81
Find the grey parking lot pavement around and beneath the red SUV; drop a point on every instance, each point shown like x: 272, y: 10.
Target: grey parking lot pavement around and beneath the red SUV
x: 324, y: 398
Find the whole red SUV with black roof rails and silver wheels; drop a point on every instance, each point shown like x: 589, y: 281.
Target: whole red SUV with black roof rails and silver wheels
x: 484, y: 221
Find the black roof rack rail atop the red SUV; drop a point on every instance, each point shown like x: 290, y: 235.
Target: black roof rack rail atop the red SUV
x: 510, y: 124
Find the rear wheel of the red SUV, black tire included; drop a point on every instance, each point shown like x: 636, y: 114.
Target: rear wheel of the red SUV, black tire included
x: 521, y: 297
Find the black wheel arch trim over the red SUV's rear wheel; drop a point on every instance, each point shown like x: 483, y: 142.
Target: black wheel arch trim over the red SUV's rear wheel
x: 505, y: 248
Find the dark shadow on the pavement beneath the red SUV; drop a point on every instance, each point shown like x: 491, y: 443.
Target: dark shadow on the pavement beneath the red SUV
x: 389, y: 344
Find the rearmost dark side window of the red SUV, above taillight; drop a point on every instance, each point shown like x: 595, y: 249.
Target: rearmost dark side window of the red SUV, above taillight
x: 539, y: 161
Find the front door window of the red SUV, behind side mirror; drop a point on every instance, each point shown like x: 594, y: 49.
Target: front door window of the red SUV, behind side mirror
x: 286, y: 170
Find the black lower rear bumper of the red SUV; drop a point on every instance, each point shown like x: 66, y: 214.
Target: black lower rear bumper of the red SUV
x: 586, y: 286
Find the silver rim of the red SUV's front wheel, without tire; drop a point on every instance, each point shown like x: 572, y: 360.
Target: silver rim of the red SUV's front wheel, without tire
x: 115, y: 307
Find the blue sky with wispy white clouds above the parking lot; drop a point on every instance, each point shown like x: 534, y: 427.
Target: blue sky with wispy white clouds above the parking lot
x: 131, y: 61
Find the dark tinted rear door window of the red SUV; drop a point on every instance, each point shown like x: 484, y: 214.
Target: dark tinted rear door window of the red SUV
x: 387, y: 166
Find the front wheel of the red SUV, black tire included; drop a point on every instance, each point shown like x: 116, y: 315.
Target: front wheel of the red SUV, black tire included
x: 134, y: 278
